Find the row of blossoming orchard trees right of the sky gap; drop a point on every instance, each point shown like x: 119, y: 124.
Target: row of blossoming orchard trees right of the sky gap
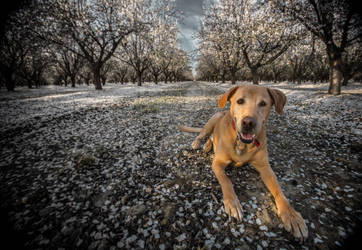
x: 281, y: 40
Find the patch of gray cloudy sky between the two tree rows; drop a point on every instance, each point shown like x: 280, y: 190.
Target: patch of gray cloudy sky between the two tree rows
x: 192, y: 10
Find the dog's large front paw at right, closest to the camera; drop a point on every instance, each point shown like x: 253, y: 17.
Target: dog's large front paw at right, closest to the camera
x: 294, y: 223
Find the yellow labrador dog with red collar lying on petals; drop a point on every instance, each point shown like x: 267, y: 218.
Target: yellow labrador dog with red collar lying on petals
x: 239, y: 135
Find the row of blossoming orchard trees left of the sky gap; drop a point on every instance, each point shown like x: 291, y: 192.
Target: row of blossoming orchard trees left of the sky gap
x: 69, y: 41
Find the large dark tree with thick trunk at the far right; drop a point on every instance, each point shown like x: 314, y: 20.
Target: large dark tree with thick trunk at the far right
x: 335, y: 22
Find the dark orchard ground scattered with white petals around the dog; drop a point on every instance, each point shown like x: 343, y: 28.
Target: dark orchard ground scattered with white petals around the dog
x: 108, y: 169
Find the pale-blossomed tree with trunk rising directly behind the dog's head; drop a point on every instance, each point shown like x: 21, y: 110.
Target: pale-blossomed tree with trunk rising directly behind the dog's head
x: 266, y: 36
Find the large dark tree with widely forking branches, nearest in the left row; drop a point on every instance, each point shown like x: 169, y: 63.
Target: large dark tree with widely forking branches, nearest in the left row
x: 96, y: 27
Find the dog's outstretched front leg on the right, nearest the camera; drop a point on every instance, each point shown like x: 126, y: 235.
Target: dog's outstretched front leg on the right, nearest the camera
x: 292, y: 220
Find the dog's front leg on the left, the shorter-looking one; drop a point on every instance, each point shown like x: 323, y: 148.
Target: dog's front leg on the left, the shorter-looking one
x: 231, y: 201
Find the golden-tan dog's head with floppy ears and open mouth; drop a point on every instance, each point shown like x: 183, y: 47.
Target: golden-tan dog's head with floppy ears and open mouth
x: 250, y: 107
